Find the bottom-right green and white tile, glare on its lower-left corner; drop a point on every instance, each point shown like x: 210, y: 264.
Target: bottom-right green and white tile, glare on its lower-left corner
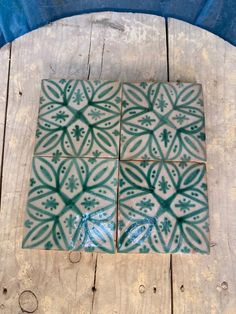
x: 163, y: 207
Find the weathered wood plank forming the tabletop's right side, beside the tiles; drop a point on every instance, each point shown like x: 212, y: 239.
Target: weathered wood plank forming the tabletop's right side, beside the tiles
x: 207, y: 284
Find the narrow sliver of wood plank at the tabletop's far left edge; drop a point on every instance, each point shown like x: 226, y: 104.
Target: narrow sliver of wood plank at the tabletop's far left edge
x: 4, y: 67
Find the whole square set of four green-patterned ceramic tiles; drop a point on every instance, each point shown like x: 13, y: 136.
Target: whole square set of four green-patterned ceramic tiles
x: 119, y: 166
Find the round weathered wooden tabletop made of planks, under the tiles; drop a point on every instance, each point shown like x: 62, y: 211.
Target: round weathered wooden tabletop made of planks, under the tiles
x: 130, y: 47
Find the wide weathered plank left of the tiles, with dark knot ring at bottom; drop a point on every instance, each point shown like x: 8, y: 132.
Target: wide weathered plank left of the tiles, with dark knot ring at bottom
x: 49, y: 278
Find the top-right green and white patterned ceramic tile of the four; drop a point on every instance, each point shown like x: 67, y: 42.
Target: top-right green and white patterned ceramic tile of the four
x: 163, y: 121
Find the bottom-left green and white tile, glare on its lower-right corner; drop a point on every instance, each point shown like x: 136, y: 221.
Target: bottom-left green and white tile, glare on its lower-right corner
x: 72, y: 204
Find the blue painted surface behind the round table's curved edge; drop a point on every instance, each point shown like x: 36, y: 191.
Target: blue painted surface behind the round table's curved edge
x: 18, y: 17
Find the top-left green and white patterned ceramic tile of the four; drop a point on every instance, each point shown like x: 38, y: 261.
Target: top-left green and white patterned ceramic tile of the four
x: 79, y: 118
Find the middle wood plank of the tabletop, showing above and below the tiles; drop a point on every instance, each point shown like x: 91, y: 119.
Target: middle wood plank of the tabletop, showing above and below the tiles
x: 130, y: 47
